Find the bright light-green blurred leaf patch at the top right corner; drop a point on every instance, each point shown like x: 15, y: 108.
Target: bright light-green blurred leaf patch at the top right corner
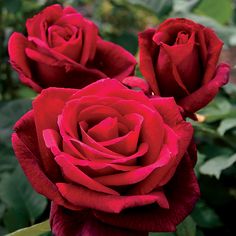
x: 219, y: 10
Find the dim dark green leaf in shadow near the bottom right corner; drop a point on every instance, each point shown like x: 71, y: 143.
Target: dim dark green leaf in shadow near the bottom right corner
x: 205, y: 216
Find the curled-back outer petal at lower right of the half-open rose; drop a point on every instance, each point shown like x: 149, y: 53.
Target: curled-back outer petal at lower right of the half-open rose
x: 201, y: 97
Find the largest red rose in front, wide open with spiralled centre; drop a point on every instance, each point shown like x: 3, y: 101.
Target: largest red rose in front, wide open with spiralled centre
x: 113, y: 161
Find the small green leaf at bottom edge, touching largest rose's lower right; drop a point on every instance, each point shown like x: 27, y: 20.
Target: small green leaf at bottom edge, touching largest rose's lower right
x: 187, y: 227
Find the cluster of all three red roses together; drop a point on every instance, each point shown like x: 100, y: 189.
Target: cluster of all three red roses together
x: 113, y: 152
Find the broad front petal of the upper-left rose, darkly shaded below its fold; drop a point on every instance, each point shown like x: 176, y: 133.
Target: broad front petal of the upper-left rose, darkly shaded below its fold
x: 55, y: 69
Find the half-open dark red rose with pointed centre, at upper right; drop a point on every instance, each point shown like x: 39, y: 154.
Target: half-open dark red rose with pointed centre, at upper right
x: 179, y: 59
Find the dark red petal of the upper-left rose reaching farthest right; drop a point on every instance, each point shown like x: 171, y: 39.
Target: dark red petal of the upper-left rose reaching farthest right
x: 113, y: 60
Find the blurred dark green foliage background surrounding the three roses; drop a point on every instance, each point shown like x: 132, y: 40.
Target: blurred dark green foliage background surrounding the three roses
x: 120, y: 21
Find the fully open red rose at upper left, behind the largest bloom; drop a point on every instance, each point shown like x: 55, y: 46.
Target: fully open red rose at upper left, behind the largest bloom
x: 63, y: 49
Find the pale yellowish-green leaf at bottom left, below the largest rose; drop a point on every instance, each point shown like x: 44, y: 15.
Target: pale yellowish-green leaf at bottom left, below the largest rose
x: 35, y: 230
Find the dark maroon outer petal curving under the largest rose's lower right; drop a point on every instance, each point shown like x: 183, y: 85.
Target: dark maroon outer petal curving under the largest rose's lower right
x: 182, y: 193
